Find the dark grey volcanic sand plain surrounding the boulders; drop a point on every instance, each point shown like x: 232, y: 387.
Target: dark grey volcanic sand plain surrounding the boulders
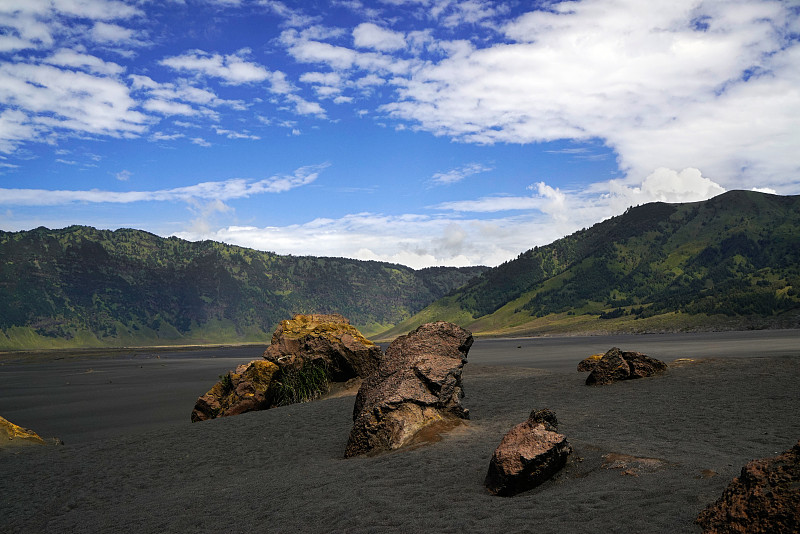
x: 649, y: 454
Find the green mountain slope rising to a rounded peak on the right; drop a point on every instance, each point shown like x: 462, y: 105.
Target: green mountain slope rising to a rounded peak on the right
x: 730, y: 262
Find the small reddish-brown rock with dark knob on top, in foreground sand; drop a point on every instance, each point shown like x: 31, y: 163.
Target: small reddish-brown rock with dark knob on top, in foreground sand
x: 529, y: 454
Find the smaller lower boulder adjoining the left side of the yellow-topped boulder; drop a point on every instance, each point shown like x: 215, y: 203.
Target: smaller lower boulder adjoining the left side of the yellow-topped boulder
x: 243, y: 390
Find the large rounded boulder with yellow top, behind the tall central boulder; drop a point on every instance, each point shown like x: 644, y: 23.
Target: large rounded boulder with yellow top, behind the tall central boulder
x: 329, y: 341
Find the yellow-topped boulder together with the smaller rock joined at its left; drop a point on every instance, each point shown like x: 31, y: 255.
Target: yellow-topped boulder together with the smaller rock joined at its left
x: 306, y: 353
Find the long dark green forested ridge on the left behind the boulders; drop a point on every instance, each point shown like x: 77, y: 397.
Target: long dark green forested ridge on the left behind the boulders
x: 82, y: 287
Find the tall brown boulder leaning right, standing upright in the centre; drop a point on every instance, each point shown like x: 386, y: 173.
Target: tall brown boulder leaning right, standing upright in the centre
x: 417, y: 386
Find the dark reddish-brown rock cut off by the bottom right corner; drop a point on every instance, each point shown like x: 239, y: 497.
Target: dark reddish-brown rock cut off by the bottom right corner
x: 764, y: 498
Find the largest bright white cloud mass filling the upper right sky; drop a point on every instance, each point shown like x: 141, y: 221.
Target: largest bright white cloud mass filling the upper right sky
x: 645, y: 79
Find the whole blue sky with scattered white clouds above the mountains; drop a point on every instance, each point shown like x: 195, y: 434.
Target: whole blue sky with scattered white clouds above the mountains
x: 423, y: 132
